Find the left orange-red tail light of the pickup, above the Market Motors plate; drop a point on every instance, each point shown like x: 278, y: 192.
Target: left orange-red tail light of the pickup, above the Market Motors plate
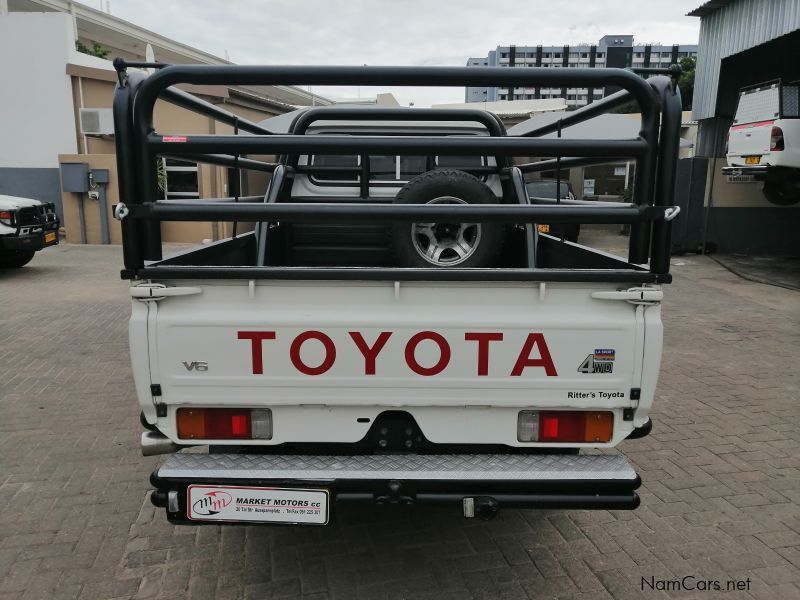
x: 224, y: 423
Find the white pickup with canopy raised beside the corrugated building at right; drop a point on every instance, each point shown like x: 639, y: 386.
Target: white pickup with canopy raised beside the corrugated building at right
x: 764, y: 140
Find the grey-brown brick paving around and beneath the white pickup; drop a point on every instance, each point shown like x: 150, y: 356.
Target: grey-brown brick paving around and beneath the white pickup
x: 719, y: 501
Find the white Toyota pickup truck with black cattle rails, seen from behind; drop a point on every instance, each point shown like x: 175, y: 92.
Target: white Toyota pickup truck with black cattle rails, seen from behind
x: 395, y: 330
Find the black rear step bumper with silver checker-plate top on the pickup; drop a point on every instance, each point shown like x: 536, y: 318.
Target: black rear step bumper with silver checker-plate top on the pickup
x: 484, y: 480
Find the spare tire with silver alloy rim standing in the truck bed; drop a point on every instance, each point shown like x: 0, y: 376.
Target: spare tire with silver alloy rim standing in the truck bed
x: 463, y: 245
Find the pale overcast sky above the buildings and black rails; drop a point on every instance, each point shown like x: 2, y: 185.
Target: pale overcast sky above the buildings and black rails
x: 399, y: 32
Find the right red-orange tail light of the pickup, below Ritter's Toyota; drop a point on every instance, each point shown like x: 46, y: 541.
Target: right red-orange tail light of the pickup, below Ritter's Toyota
x: 565, y: 426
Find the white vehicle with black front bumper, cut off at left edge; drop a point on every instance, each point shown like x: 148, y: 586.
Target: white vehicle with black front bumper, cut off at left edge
x: 26, y: 226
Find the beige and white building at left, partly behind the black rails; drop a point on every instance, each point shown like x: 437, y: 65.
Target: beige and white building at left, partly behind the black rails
x: 64, y: 115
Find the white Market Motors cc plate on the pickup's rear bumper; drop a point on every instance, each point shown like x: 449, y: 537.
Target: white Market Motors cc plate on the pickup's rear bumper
x: 257, y: 504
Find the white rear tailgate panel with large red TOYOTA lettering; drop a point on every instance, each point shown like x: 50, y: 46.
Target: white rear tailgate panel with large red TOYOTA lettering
x: 323, y: 355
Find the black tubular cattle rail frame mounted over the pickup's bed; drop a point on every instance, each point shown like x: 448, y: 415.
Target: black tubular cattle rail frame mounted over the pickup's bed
x: 138, y: 145
